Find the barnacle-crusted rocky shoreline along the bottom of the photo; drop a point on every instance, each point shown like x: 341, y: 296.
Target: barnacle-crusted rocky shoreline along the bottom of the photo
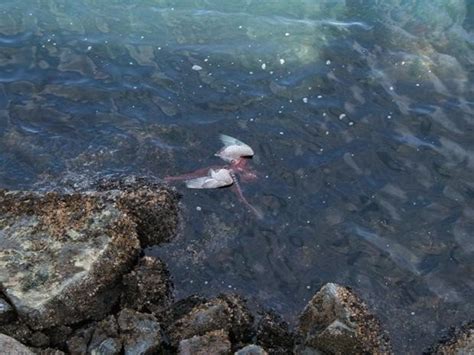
x: 74, y: 280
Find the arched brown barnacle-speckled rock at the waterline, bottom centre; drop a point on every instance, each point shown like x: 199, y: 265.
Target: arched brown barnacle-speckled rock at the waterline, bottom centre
x: 226, y: 312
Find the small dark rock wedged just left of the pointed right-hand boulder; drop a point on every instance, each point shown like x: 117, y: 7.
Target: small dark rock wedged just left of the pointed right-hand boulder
x: 274, y: 334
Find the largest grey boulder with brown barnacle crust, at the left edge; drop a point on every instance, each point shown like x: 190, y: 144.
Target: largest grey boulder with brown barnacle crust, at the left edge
x: 62, y: 256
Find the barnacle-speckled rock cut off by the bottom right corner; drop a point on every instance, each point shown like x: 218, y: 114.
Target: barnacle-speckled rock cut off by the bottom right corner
x: 457, y: 341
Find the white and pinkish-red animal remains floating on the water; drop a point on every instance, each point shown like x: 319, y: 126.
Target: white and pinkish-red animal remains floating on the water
x: 236, y: 154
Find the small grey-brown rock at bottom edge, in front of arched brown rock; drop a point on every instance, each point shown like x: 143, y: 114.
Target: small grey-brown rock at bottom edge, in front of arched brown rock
x: 211, y: 343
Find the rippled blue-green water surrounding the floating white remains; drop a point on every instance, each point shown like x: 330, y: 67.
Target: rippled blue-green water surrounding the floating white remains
x: 361, y: 114
